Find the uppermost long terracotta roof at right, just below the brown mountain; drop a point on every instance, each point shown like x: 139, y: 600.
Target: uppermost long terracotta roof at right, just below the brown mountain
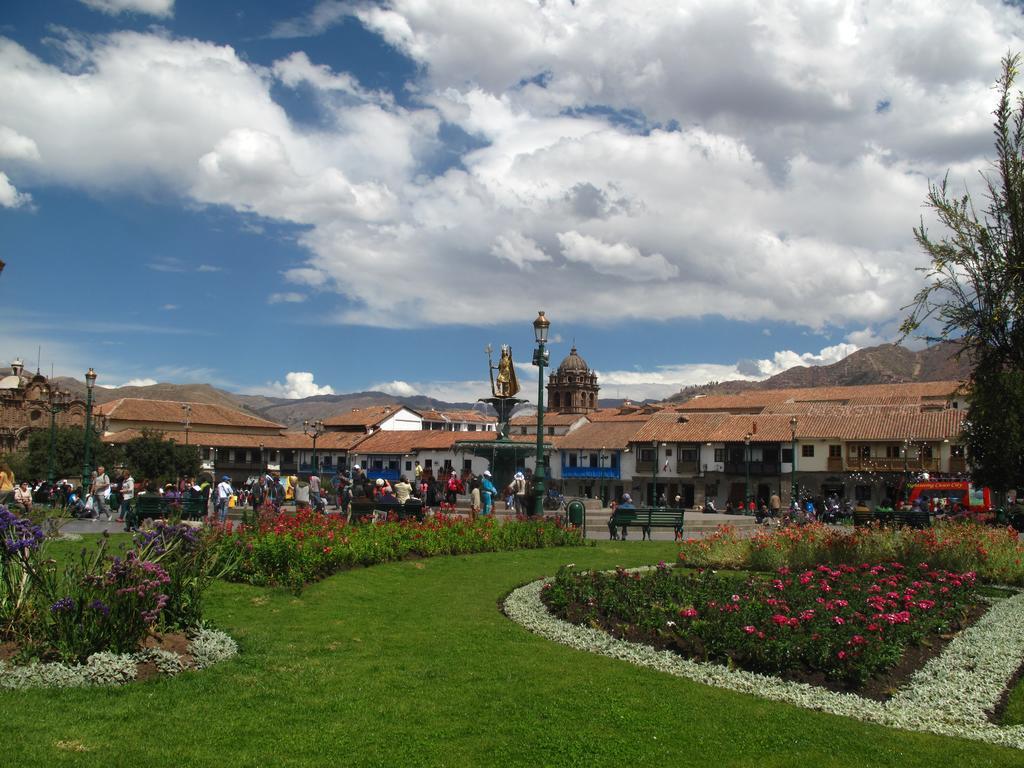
x: 761, y: 399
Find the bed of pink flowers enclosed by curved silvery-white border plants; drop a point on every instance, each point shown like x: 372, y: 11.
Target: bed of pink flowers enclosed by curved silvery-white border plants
x: 843, y: 624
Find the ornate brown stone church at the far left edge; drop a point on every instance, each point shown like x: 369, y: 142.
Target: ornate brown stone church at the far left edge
x: 27, y: 403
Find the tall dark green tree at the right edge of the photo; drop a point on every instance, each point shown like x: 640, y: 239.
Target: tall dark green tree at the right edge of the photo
x: 975, y: 293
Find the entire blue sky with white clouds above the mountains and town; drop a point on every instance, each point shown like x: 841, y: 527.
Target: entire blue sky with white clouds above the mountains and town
x: 292, y: 199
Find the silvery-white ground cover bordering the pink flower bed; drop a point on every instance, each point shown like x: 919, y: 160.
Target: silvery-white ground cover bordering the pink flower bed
x: 952, y: 695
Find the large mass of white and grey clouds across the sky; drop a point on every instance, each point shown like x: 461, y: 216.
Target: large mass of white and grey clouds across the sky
x: 758, y: 161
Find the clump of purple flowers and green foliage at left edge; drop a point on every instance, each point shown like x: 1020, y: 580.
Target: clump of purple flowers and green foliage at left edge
x: 100, y: 604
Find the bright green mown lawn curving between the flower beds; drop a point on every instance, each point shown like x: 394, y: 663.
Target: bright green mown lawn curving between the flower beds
x: 412, y: 664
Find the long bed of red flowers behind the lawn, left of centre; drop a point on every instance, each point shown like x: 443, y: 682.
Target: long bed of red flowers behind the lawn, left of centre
x: 294, y: 550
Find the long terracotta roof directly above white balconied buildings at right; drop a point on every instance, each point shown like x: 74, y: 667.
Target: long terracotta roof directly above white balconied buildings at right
x: 840, y: 423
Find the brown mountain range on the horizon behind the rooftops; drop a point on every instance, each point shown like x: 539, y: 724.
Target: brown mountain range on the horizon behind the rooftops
x: 886, y: 364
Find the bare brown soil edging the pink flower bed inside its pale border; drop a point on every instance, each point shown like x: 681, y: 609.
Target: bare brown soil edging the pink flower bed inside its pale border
x: 880, y: 688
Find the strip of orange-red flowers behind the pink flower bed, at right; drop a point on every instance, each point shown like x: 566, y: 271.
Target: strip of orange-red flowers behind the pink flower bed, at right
x: 995, y: 554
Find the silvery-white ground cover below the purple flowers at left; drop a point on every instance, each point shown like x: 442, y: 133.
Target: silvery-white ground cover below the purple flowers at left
x: 206, y: 649
